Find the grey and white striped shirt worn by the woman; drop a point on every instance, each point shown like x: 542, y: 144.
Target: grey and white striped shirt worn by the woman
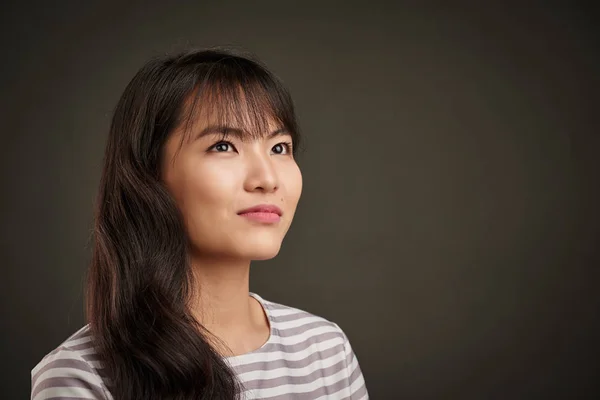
x: 305, y: 357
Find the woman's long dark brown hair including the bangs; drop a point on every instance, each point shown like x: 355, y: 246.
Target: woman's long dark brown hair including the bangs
x: 140, y: 282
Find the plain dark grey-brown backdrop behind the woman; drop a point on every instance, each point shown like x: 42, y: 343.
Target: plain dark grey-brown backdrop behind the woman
x: 449, y: 220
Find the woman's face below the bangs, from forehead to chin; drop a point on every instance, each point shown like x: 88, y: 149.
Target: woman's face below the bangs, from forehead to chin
x: 214, y: 180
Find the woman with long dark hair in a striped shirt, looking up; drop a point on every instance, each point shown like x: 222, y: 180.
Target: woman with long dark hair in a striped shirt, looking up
x: 199, y: 179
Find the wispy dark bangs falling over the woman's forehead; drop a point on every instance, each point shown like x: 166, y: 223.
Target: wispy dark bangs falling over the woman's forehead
x: 240, y: 93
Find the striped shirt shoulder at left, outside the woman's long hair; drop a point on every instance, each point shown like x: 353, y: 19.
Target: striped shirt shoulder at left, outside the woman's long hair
x: 69, y: 371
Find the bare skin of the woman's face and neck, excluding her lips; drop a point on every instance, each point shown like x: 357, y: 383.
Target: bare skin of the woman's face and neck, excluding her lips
x: 211, y: 181
